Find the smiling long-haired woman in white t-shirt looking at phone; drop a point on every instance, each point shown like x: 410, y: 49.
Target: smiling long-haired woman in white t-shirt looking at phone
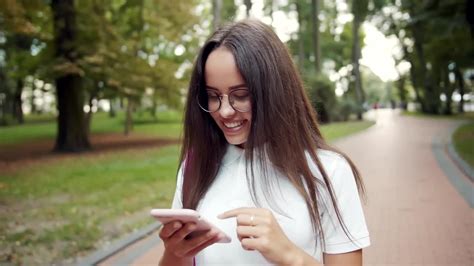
x: 254, y: 163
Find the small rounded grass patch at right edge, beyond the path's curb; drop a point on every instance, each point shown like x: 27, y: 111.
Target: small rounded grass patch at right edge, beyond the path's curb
x: 463, y: 140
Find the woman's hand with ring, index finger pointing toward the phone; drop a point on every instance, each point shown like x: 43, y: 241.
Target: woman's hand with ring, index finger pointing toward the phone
x: 258, y: 229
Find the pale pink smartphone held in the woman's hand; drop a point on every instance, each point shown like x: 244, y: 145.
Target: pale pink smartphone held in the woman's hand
x: 185, y: 216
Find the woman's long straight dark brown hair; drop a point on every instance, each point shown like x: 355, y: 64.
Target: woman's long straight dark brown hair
x: 284, y: 126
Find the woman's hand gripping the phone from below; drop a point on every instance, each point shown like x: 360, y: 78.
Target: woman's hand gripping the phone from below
x: 180, y: 249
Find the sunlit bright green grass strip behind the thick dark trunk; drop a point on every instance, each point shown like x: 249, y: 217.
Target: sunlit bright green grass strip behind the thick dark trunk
x: 43, y: 127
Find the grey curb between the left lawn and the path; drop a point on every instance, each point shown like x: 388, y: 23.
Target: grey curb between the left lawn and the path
x: 117, y: 246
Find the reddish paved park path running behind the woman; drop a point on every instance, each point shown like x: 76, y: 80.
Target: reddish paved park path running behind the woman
x: 415, y: 214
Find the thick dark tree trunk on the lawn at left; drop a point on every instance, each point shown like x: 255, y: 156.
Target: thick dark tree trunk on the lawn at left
x: 72, y: 134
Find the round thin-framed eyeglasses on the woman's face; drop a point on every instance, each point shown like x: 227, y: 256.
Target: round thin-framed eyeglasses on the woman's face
x: 211, y: 101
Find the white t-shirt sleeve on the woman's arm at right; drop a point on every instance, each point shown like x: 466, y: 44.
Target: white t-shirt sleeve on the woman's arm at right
x: 350, y: 208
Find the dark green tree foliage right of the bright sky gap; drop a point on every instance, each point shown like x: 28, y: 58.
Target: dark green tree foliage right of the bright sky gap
x: 435, y: 40
